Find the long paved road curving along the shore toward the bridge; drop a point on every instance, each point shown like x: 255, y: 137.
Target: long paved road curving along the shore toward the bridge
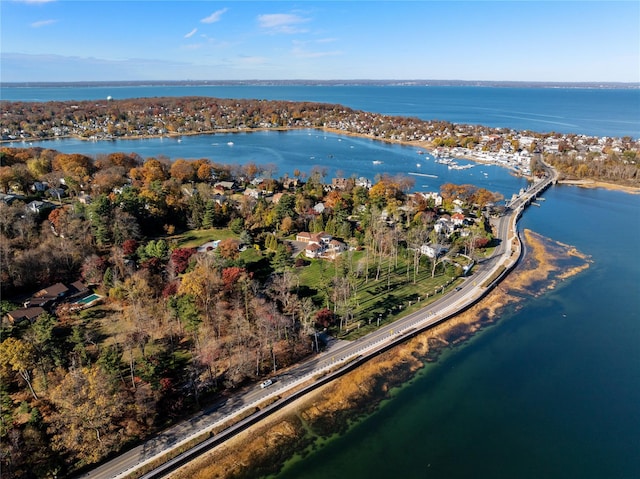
x: 339, y: 352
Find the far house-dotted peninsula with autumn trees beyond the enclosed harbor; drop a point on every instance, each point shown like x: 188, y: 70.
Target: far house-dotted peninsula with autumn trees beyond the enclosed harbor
x: 610, y: 161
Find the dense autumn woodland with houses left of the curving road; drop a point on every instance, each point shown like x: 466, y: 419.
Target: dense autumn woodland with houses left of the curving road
x: 176, y: 325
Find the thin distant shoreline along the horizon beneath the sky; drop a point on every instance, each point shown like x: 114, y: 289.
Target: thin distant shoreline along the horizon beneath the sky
x: 360, y: 82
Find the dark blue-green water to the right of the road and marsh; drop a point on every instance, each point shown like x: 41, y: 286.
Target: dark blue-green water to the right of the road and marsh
x: 551, y: 391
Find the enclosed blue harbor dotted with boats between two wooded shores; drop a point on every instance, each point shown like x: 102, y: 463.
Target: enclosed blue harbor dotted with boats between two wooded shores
x: 281, y: 153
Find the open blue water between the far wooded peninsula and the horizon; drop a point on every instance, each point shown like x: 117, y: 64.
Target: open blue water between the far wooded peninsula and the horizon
x: 589, y: 111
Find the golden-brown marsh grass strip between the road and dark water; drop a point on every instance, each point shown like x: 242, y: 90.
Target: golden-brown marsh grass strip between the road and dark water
x: 263, y: 448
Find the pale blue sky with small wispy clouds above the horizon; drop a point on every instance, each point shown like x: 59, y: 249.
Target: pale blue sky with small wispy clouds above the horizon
x: 104, y: 40
